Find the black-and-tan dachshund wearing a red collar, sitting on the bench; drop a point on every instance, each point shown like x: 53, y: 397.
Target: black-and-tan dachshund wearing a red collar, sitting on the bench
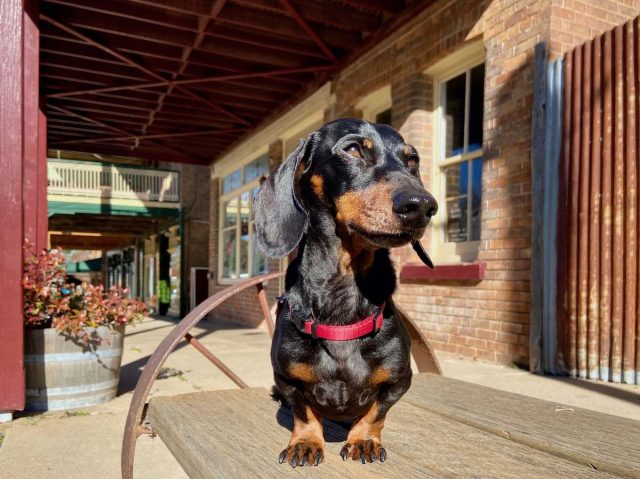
x: 344, y: 197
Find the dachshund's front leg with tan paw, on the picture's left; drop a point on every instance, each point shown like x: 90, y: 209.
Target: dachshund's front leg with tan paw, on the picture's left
x: 306, y: 446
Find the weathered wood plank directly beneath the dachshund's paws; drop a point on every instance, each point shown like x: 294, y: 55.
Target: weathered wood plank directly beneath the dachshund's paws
x: 240, y: 433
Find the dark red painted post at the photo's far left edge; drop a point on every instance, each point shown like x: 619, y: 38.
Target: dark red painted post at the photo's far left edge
x: 11, y: 234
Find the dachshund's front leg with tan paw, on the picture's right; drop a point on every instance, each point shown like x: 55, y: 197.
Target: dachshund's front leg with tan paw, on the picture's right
x: 364, y: 440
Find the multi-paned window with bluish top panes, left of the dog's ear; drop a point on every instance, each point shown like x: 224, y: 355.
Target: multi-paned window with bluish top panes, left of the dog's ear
x: 239, y: 256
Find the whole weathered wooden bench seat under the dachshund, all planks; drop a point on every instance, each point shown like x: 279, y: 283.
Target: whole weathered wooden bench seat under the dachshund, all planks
x: 439, y: 430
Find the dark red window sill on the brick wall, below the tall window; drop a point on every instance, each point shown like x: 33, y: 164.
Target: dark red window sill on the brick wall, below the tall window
x: 467, y: 273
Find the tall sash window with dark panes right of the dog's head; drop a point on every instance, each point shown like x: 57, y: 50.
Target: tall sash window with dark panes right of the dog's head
x: 458, y: 153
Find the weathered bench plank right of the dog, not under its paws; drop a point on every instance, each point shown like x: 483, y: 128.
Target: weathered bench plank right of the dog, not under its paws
x: 601, y: 441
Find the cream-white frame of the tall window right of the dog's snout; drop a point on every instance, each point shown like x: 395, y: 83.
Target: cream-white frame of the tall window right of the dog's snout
x: 454, y: 65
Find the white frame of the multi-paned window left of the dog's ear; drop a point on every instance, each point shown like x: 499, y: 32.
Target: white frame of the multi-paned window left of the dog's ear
x: 237, y: 193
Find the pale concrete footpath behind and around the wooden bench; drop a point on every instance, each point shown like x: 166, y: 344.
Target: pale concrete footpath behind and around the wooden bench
x: 85, y: 444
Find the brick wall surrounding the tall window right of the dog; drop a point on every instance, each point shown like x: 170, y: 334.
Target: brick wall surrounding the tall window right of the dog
x: 488, y: 320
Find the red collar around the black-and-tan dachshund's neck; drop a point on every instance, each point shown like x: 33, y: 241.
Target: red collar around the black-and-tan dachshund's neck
x: 370, y: 324
